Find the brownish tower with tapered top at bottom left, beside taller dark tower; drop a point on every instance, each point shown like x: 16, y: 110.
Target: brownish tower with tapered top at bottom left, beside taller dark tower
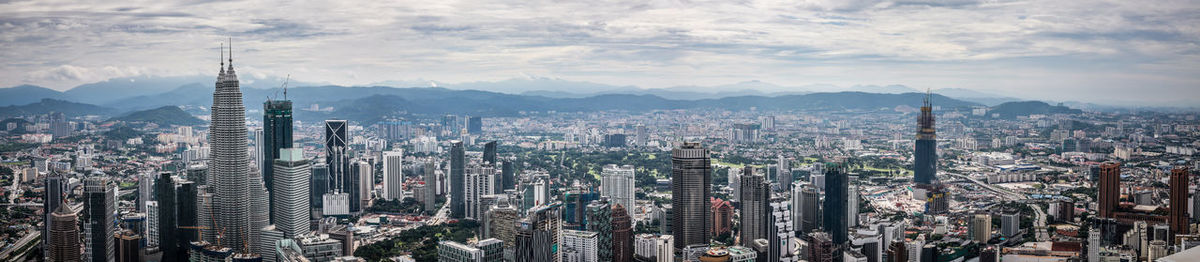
x: 63, y: 242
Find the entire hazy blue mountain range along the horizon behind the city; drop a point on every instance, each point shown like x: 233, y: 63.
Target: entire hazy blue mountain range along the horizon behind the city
x: 374, y: 104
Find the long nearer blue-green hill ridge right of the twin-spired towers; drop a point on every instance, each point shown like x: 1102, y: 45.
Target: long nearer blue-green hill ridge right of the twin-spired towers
x: 431, y: 102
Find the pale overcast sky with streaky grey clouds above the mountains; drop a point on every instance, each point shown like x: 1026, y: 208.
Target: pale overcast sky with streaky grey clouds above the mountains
x: 1109, y: 52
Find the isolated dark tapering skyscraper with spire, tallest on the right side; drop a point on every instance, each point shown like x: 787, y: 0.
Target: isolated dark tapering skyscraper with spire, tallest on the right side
x: 926, y: 156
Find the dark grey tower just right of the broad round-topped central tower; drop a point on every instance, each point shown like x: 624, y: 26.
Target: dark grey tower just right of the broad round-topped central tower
x: 755, y: 198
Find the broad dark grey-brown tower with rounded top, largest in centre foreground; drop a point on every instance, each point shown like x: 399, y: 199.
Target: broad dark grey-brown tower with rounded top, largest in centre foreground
x: 692, y: 175
